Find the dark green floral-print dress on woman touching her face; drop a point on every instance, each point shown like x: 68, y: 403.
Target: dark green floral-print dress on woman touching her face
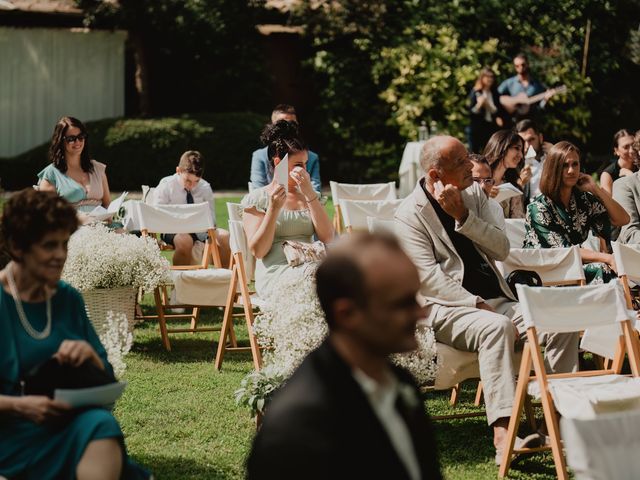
x: 549, y: 225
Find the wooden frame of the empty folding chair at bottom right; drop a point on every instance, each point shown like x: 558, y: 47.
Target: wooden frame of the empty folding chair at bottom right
x: 532, y: 356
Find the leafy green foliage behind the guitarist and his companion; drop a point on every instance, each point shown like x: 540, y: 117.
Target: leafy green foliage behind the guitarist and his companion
x: 384, y: 66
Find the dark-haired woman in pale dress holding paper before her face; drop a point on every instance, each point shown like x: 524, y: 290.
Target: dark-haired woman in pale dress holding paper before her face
x: 272, y: 215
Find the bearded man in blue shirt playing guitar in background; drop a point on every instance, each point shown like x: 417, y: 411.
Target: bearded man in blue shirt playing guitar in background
x: 517, y: 92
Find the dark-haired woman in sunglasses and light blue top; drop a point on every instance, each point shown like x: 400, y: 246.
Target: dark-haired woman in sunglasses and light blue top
x: 72, y: 173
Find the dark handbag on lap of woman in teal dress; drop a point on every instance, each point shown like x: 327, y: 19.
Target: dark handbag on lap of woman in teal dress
x: 50, y: 375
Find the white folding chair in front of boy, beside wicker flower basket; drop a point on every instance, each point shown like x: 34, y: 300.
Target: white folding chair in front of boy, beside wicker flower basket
x: 196, y: 286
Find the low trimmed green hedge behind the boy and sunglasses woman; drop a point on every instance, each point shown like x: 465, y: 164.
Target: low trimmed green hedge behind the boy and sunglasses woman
x: 142, y: 151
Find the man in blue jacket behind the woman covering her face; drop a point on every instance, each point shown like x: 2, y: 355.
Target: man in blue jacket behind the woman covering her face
x: 261, y: 172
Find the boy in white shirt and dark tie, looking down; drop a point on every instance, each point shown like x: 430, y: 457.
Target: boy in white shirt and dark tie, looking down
x: 188, y: 186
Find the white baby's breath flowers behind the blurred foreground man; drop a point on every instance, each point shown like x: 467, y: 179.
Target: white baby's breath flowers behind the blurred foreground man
x: 292, y: 324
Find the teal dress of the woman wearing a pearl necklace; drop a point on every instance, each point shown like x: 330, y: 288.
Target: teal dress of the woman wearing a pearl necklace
x: 48, y: 451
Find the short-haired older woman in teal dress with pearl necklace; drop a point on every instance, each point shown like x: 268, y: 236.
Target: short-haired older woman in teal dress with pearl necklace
x: 42, y: 317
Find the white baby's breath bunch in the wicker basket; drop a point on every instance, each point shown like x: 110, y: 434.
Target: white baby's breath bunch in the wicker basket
x: 101, y: 258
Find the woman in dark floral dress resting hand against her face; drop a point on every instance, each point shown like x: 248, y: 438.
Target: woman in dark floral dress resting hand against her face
x: 570, y: 206
